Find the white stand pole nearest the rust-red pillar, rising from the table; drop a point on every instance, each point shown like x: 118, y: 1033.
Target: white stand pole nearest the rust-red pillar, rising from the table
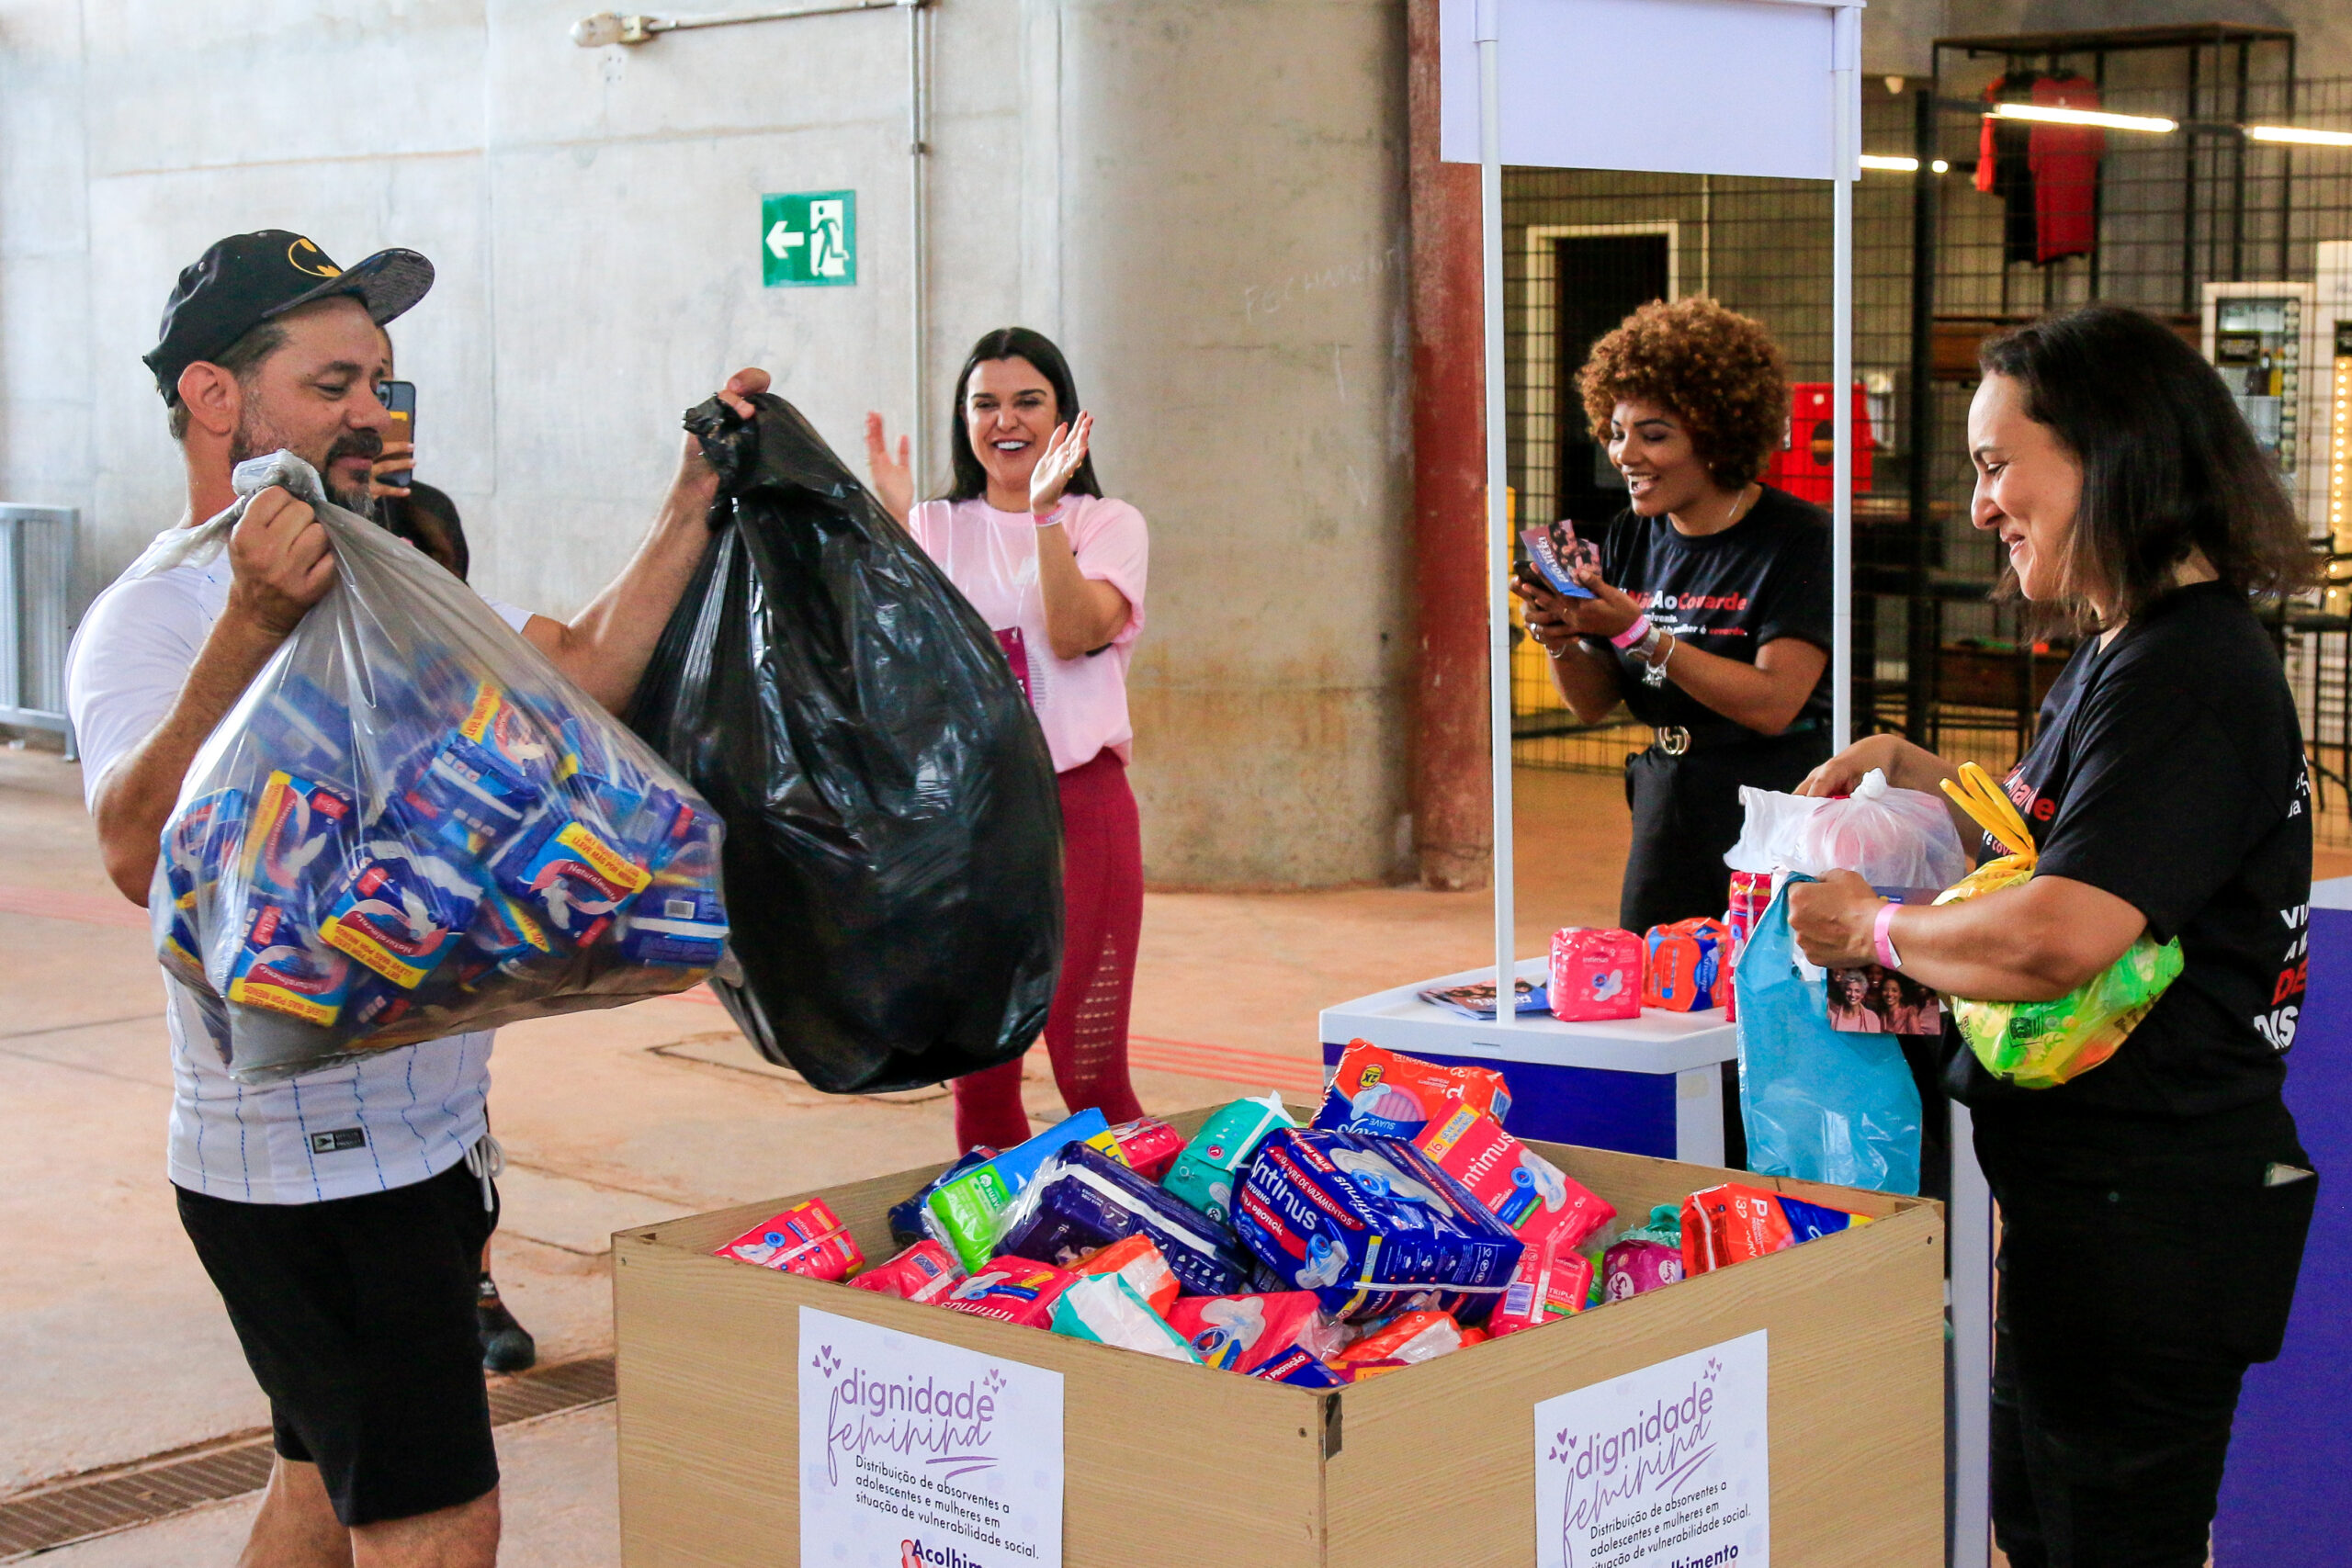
x: 1490, y: 201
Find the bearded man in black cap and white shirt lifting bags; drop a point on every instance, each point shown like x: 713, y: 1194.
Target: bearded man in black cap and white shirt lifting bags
x: 342, y: 1212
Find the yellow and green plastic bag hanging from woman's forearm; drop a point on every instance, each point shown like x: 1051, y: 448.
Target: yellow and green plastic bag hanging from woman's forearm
x: 2040, y: 1045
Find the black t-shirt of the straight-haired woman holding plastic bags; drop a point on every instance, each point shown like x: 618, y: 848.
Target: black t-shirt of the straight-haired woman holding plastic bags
x: 2170, y: 772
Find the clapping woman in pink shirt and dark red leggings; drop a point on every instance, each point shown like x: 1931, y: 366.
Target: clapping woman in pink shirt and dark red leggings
x: 1057, y: 570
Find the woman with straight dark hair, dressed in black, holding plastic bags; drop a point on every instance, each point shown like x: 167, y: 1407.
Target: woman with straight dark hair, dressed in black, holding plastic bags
x: 2153, y: 1209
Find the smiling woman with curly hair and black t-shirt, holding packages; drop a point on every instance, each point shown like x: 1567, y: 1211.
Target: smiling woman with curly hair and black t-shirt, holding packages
x: 1709, y: 610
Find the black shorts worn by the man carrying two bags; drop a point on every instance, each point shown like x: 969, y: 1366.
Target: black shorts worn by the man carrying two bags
x: 356, y: 1318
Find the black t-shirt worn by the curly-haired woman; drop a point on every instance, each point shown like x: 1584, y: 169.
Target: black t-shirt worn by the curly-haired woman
x: 1725, y: 594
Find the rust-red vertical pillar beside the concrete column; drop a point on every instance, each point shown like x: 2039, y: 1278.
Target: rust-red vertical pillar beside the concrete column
x: 1452, y: 805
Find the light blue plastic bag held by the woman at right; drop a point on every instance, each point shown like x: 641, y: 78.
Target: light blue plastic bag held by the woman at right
x: 1822, y: 1106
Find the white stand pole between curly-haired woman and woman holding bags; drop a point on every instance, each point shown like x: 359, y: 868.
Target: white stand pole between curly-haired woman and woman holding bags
x: 1845, y: 154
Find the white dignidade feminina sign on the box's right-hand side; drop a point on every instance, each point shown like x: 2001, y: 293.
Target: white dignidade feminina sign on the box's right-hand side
x: 1664, y: 1468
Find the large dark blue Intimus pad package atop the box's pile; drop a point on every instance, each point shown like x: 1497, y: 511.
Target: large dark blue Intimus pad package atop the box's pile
x: 1372, y: 1226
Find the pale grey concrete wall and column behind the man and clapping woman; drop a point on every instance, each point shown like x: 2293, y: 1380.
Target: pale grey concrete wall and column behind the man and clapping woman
x: 1201, y: 199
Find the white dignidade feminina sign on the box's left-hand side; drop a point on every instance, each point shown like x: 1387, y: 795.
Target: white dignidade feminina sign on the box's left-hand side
x: 918, y: 1454
